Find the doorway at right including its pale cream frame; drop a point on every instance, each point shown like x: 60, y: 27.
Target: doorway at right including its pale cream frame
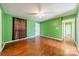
x: 68, y: 28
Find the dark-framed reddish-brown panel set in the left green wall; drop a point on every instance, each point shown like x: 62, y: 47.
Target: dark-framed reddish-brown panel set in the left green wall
x: 19, y: 28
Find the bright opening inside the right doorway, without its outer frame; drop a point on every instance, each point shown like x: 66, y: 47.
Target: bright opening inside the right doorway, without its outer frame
x: 68, y: 33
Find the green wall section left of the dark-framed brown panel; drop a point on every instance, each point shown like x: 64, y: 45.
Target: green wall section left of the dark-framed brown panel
x: 6, y: 27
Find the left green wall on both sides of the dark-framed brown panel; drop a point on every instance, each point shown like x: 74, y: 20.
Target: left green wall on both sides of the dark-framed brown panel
x: 7, y: 27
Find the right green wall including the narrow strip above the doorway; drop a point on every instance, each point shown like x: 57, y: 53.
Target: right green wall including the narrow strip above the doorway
x: 53, y: 27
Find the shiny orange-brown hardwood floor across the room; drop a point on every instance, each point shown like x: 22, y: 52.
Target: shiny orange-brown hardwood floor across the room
x: 39, y: 46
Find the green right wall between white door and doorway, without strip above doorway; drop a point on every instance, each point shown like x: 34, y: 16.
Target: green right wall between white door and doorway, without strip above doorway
x: 51, y: 28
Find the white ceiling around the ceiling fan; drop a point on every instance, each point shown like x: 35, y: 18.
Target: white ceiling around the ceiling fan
x: 51, y: 10
